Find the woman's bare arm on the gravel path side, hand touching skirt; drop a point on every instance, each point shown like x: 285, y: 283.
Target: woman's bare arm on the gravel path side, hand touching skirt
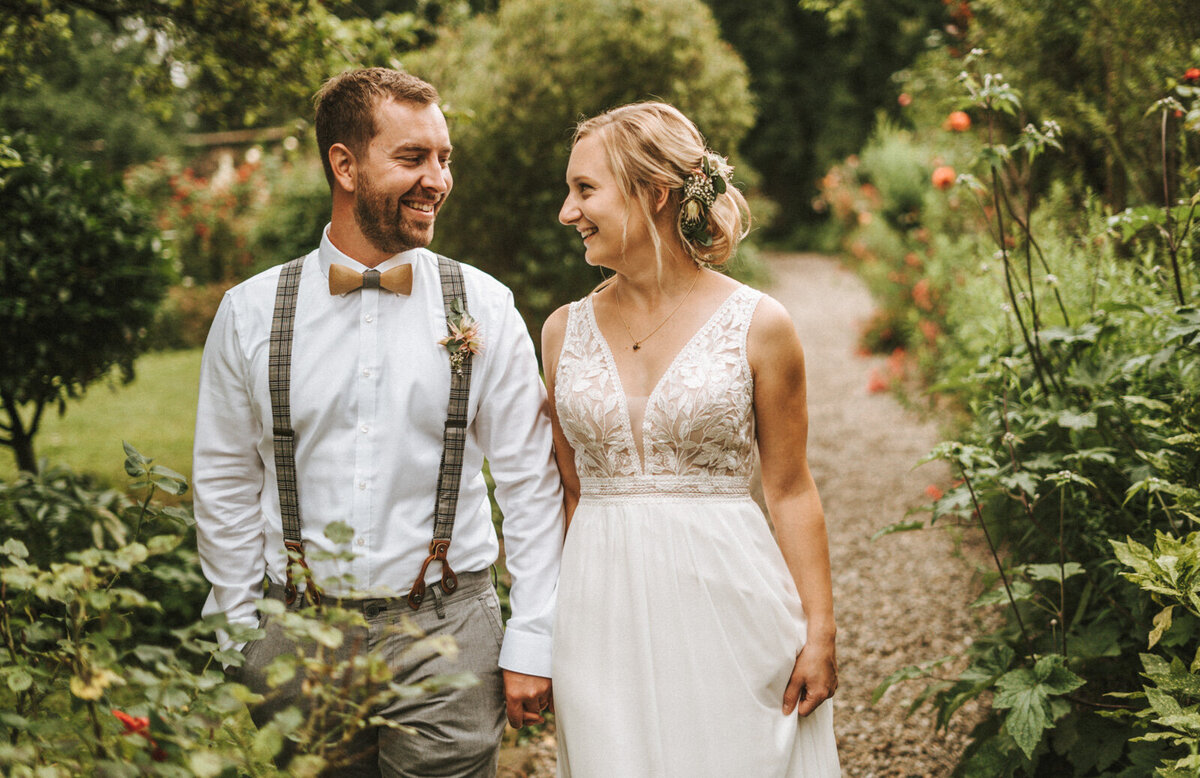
x: 782, y: 423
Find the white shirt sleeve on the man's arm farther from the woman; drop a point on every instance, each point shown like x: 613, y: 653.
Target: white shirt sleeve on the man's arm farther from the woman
x: 229, y: 476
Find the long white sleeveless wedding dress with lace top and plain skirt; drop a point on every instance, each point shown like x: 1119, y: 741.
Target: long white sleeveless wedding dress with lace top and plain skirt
x: 679, y: 623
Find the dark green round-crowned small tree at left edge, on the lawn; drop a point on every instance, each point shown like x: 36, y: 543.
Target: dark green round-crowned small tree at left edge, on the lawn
x: 81, y: 276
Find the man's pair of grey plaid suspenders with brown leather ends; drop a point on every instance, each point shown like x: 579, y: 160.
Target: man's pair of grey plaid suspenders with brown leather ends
x: 455, y: 436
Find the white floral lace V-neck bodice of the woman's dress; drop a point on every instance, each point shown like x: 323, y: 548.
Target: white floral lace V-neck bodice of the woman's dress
x: 699, y: 421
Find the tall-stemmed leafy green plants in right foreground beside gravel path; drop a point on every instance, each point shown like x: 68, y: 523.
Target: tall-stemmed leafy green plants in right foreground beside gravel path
x: 1087, y: 427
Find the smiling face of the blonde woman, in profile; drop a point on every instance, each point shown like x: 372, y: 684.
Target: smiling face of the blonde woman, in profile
x: 609, y: 222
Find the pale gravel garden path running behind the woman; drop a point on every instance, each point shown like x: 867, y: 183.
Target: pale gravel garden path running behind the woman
x: 899, y: 601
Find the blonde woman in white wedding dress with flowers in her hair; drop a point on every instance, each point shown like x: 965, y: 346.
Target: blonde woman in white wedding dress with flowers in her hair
x: 688, y: 642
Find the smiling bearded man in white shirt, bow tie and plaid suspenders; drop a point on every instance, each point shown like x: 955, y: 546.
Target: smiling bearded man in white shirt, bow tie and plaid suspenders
x: 332, y: 391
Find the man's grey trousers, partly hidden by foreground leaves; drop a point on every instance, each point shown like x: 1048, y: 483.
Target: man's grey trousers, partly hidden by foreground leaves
x: 458, y: 732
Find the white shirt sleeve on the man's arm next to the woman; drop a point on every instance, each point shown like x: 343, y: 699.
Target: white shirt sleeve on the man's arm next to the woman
x: 513, y: 430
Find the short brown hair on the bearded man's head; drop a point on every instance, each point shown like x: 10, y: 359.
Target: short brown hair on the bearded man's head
x: 347, y: 103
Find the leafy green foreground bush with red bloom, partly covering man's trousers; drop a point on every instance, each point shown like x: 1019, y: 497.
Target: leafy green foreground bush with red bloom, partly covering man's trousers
x: 86, y: 690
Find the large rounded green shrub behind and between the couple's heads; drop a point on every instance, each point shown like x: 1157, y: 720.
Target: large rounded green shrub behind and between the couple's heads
x: 517, y: 83
